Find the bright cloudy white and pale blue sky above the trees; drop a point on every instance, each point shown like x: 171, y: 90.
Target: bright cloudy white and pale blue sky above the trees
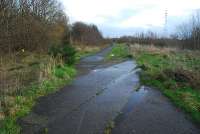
x: 124, y: 17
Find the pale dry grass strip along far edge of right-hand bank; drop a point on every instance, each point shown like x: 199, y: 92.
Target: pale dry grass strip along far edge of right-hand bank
x: 185, y: 59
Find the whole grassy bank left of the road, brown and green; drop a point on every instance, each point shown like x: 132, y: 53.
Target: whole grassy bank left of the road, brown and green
x: 22, y: 82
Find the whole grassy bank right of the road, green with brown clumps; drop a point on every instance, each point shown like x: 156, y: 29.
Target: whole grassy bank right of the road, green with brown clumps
x: 175, y: 72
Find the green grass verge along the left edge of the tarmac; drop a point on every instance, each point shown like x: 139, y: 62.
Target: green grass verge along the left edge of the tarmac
x: 18, y: 104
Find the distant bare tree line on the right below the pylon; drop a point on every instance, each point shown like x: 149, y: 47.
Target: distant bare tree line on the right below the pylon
x: 187, y: 36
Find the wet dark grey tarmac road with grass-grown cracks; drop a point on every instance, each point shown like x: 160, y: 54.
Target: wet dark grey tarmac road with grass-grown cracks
x: 102, y: 93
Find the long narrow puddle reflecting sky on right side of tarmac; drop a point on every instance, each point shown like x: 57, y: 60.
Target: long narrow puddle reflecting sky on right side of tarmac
x: 134, y: 100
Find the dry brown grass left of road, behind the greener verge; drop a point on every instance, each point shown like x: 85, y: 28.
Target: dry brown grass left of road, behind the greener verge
x: 19, y: 71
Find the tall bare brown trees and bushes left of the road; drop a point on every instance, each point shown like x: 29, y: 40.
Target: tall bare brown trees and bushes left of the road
x: 38, y: 24
